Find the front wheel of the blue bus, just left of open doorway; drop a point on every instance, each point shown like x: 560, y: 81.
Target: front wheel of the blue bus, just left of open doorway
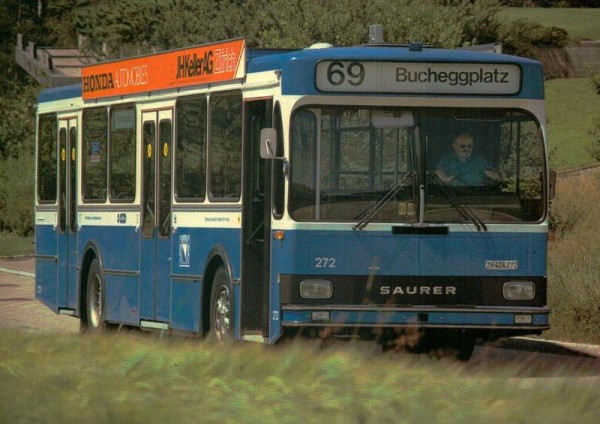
x: 221, y: 307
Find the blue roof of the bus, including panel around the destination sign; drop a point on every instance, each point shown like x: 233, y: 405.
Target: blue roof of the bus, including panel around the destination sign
x: 302, y: 63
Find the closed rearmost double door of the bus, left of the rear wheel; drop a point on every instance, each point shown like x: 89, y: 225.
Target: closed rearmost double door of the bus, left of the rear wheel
x: 67, y: 222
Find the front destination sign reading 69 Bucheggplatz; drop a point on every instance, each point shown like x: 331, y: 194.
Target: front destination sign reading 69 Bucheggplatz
x: 418, y: 78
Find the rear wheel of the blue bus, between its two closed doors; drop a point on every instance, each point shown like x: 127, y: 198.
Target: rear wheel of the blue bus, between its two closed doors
x: 95, y: 313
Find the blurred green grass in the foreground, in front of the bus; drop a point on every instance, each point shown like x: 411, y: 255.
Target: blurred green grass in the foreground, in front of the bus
x: 136, y: 379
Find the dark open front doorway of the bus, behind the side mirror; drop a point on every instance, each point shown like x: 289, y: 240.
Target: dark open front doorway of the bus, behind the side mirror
x: 256, y: 223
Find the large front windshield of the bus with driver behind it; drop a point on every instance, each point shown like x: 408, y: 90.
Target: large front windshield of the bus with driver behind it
x: 454, y: 165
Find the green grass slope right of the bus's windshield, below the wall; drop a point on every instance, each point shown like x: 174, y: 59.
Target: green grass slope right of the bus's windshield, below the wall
x: 571, y: 105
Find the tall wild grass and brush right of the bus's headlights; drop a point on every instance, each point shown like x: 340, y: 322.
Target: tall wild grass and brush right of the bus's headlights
x: 574, y: 262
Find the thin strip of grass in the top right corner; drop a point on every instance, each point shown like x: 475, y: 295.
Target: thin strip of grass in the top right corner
x: 580, y: 23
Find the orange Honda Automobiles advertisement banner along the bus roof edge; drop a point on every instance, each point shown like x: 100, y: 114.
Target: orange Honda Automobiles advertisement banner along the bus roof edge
x: 204, y: 64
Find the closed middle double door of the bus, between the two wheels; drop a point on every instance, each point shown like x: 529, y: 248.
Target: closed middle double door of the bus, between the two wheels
x: 155, y: 254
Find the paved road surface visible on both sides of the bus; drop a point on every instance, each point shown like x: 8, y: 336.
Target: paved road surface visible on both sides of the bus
x: 535, y: 357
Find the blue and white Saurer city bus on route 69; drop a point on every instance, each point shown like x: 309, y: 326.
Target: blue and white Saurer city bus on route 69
x: 260, y: 195
